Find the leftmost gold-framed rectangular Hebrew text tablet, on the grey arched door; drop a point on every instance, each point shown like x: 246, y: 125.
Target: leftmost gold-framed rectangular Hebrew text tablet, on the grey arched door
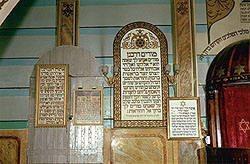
x: 51, y: 95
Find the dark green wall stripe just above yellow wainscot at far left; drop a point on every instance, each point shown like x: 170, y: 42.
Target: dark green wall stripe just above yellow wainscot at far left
x: 14, y: 124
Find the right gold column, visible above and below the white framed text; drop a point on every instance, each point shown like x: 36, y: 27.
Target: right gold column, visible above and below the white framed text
x: 185, y: 57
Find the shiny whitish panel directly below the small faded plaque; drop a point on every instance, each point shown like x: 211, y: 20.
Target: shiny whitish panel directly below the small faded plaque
x: 86, y: 144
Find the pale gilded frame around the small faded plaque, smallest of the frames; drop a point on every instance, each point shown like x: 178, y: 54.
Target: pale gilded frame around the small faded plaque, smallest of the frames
x: 77, y: 93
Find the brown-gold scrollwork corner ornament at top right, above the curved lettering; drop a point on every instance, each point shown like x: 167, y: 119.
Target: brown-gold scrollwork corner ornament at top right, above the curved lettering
x: 217, y: 10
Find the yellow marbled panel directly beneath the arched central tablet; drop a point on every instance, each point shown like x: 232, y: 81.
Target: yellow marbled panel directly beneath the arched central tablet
x: 138, y: 146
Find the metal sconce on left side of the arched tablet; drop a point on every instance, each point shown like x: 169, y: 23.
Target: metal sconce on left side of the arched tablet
x: 105, y: 71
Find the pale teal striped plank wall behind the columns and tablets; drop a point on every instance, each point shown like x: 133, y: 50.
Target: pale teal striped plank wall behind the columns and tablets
x: 30, y: 30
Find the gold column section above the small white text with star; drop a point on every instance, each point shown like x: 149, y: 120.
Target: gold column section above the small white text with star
x: 184, y: 47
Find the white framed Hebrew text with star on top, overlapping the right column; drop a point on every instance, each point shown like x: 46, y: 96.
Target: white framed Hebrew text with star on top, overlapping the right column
x: 183, y: 118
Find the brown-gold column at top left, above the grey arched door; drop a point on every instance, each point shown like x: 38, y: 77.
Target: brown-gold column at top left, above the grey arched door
x: 67, y: 22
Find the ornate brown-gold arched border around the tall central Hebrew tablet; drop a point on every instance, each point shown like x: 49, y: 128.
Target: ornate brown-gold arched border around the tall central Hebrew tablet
x: 118, y: 122
